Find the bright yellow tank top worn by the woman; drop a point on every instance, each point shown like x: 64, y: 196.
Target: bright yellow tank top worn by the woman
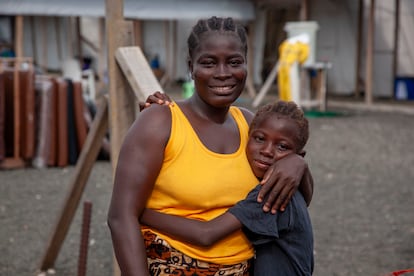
x: 197, y: 183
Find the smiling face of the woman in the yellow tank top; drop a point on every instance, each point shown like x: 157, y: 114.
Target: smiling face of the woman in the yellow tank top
x: 218, y: 67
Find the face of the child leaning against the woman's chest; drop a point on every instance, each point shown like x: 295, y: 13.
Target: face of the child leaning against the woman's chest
x: 272, y: 139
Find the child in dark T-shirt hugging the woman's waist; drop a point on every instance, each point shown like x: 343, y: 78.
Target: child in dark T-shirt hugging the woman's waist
x: 283, y: 242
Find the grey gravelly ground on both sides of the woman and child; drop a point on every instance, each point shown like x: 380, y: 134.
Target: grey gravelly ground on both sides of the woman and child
x: 362, y: 211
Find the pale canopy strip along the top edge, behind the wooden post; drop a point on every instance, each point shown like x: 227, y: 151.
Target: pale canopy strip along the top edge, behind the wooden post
x: 133, y: 9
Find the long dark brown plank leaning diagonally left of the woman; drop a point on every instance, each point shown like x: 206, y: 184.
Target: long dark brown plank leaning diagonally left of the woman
x: 78, y: 182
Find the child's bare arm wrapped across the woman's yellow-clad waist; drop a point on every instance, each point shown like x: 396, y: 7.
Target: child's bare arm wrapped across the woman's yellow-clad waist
x: 201, y: 233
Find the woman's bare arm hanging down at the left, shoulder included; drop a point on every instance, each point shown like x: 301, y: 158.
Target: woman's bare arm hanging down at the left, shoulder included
x: 140, y: 160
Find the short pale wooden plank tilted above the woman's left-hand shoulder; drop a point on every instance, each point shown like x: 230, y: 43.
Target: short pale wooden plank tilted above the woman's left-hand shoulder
x: 137, y: 71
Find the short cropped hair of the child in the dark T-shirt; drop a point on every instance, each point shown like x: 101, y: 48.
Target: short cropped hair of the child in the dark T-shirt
x: 285, y: 110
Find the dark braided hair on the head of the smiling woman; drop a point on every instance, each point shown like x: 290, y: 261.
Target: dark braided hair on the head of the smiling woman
x: 215, y: 24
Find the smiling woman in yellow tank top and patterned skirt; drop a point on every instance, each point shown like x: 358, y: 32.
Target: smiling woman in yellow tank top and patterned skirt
x: 188, y: 159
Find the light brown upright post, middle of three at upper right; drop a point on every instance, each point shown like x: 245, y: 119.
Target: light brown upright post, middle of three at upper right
x: 370, y: 54
